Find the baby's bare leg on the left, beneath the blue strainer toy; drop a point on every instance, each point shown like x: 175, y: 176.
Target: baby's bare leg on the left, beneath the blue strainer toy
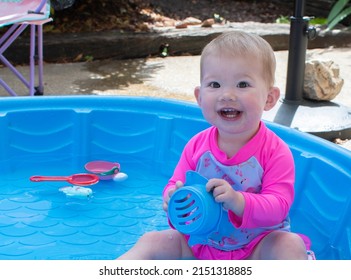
x: 167, y: 244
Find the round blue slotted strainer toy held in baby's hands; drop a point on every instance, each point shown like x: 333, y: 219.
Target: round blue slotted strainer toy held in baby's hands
x: 192, y: 210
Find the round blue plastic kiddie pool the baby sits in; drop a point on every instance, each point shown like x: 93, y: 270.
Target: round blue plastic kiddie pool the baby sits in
x: 57, y: 136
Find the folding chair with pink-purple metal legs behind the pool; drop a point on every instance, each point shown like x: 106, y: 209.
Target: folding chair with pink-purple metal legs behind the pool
x: 19, y: 14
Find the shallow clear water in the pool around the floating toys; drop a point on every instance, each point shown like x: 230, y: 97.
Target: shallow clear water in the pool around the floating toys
x: 37, y: 221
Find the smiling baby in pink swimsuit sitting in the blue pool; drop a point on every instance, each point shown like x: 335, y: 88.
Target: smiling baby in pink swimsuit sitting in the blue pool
x: 250, y: 170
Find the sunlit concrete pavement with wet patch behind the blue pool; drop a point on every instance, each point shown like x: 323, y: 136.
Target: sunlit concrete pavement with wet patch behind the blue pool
x: 170, y: 77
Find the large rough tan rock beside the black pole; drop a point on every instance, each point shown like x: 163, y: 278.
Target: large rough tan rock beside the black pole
x: 322, y: 80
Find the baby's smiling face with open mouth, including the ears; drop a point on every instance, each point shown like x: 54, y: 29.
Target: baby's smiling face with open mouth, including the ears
x: 233, y: 92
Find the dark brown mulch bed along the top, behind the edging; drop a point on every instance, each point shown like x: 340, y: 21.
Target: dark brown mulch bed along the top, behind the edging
x: 143, y: 15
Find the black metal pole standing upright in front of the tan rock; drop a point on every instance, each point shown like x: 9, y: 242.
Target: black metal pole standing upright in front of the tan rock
x: 297, y: 54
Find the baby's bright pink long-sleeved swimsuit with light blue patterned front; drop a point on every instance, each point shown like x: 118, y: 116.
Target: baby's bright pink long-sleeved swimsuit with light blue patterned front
x: 263, y: 170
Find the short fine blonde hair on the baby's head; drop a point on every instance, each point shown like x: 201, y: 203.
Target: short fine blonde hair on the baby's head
x: 238, y: 43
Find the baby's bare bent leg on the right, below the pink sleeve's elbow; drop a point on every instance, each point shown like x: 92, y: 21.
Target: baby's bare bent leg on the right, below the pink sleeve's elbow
x: 280, y: 245
